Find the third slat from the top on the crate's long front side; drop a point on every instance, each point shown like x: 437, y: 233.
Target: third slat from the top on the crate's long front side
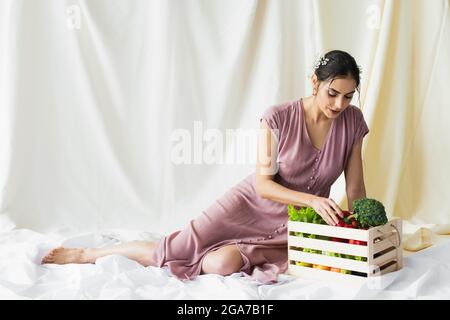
x: 328, y: 261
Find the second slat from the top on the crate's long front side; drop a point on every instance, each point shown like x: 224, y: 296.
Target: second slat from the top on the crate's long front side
x: 325, y: 245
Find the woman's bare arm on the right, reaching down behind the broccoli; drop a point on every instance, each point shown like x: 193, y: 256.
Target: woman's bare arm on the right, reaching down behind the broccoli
x: 354, y: 176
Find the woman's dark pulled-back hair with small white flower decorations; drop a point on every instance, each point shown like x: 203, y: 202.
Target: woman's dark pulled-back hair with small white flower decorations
x: 339, y: 64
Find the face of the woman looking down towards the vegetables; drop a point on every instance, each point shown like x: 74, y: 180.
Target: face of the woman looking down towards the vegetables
x: 335, y: 95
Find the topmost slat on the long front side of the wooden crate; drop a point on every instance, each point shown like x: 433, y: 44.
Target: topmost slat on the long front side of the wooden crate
x: 330, y: 231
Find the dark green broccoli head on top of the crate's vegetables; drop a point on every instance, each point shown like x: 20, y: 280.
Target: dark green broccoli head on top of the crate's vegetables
x: 369, y: 212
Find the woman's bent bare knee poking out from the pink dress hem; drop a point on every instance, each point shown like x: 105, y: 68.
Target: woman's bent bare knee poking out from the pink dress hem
x: 223, y: 261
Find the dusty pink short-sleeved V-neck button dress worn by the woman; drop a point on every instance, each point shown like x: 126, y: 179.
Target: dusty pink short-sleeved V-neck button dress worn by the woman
x: 259, y: 226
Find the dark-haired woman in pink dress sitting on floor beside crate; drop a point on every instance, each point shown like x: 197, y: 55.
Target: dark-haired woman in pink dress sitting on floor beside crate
x: 310, y: 142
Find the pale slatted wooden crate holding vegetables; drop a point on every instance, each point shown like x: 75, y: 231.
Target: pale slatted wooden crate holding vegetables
x: 383, y: 251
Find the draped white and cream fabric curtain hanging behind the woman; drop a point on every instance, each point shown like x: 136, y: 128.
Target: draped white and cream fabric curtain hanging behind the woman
x: 92, y: 92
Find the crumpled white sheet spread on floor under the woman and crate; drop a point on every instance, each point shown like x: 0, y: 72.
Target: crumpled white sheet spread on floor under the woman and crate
x: 426, y: 275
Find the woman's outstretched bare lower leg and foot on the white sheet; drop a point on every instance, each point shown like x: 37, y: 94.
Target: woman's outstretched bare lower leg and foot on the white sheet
x: 140, y: 251
